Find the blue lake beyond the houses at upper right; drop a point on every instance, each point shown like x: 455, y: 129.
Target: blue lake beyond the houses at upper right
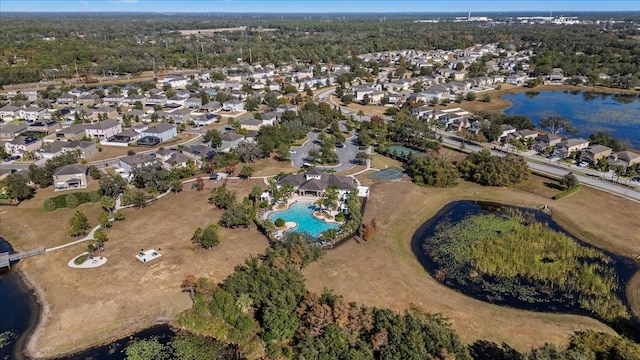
x: 589, y: 112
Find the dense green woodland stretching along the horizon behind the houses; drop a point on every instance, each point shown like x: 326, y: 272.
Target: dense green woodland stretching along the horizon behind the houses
x: 123, y: 43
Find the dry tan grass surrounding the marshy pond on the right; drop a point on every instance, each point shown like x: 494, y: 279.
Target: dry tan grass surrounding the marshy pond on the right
x: 385, y: 273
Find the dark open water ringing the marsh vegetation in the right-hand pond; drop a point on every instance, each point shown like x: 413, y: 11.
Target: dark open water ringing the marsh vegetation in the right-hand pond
x: 459, y: 211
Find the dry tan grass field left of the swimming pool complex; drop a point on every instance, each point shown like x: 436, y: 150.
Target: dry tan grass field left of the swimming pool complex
x: 89, y: 306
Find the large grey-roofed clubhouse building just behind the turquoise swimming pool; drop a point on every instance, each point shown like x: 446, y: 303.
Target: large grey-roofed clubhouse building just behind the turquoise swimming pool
x: 315, y: 182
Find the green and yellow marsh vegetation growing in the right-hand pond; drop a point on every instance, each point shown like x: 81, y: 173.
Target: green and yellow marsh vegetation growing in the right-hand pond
x: 509, y: 257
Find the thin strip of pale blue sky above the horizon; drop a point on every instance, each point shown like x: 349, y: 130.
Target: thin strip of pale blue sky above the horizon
x: 317, y: 6
